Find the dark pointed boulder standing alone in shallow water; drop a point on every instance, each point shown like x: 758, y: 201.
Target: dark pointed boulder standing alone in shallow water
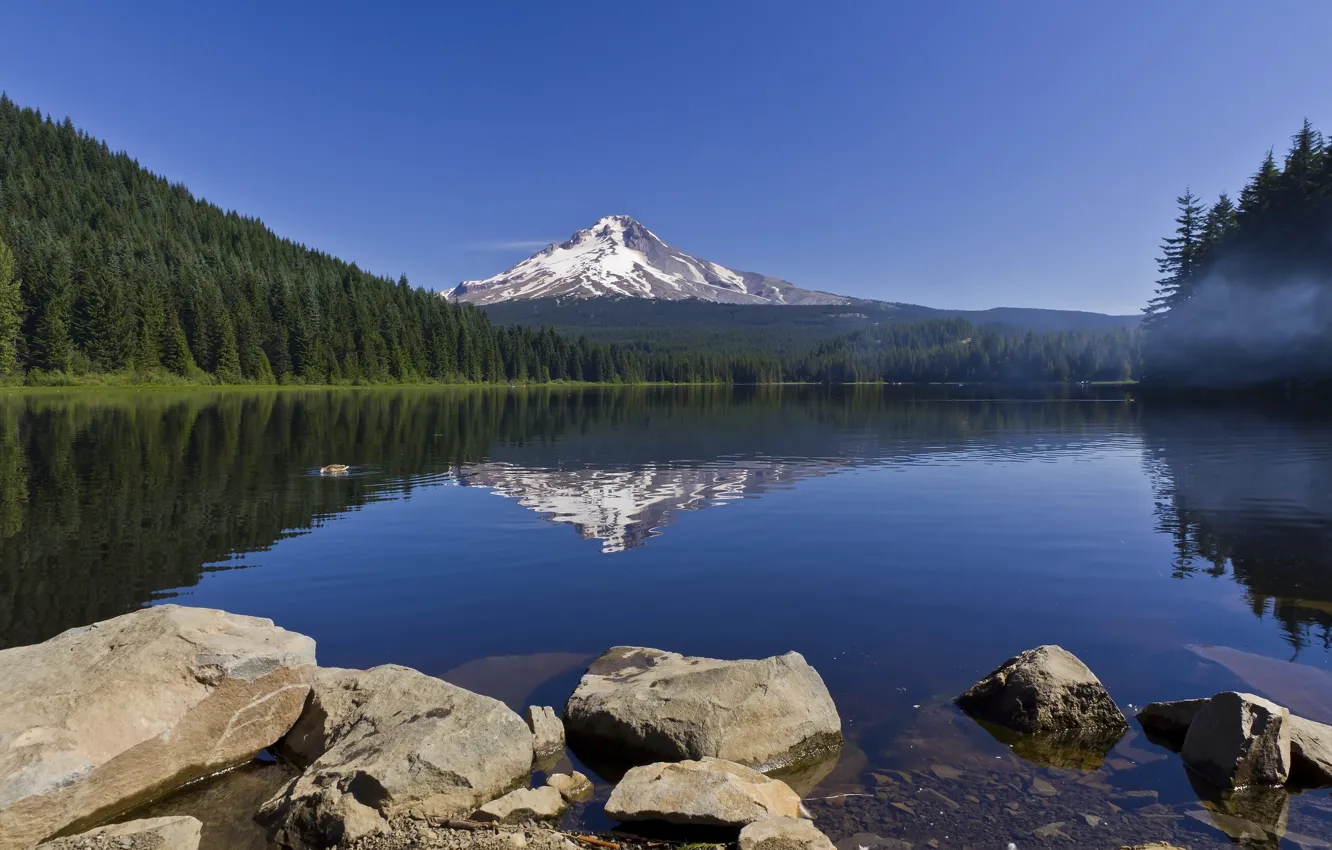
x: 1045, y: 691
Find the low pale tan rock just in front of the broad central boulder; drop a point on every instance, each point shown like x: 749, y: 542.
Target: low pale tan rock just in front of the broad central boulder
x: 709, y: 792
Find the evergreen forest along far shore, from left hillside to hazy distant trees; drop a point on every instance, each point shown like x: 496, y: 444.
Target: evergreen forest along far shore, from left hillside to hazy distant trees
x: 113, y: 275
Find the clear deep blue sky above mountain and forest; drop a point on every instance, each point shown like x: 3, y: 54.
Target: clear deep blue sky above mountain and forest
x: 961, y: 155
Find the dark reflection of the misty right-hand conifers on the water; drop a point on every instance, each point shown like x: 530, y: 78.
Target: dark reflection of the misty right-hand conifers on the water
x: 1245, y: 492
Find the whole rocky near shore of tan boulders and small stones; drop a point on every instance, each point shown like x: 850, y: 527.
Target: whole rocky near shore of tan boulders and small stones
x: 109, y: 729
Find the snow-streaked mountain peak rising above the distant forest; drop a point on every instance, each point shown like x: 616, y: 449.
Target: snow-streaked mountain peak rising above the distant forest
x: 617, y: 256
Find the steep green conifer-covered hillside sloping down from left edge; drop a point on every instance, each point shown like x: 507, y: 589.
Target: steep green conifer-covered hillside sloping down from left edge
x: 118, y: 271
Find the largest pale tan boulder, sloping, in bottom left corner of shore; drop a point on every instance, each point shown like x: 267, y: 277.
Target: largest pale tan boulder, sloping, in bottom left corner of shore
x: 103, y: 717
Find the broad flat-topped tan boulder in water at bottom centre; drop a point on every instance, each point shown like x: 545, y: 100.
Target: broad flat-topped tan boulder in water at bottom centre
x: 651, y: 705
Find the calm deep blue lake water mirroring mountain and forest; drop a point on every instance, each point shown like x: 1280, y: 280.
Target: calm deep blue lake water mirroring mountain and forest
x: 905, y: 542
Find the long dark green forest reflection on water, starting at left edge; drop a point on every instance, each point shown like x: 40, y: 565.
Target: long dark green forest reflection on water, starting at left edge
x: 110, y: 500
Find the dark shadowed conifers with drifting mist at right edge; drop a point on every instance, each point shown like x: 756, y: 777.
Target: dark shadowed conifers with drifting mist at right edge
x: 1246, y: 291
